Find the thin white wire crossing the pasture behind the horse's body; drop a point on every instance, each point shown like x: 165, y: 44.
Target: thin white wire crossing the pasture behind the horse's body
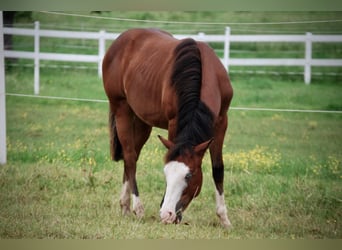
x: 60, y: 98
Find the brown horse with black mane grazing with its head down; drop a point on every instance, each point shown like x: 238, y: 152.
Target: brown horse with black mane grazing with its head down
x: 154, y: 80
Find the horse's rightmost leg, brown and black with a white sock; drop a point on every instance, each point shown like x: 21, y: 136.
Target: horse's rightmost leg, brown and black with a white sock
x: 218, y: 170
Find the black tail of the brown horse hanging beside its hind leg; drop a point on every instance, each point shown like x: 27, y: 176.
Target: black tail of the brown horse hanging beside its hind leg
x: 115, y: 145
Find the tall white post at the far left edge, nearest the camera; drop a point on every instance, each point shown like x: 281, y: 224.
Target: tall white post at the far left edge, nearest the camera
x: 3, y: 149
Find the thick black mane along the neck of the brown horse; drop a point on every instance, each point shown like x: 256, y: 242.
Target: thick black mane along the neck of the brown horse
x: 194, y: 118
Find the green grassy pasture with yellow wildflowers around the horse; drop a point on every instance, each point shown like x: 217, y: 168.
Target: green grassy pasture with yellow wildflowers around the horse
x: 282, y: 178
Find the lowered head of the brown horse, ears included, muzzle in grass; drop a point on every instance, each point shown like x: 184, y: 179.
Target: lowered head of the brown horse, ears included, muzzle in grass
x: 183, y: 180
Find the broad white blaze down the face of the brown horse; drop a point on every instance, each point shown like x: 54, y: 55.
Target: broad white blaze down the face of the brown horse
x: 175, y: 173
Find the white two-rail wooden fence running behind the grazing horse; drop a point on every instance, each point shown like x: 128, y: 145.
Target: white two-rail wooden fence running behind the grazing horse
x: 226, y: 39
